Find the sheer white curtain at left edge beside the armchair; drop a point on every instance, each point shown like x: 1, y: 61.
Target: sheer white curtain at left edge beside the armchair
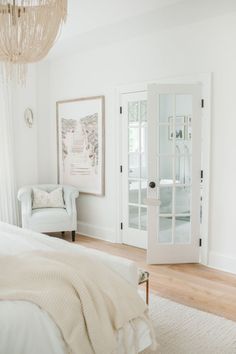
x: 8, y: 200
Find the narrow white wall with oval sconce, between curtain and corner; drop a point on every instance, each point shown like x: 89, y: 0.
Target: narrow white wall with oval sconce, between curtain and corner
x: 26, y: 144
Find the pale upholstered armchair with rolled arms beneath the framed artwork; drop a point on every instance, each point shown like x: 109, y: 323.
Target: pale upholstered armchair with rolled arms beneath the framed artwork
x: 53, y: 219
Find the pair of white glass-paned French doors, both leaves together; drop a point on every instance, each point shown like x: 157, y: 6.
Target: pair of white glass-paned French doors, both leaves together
x: 164, y: 219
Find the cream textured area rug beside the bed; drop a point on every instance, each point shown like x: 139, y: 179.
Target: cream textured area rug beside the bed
x: 185, y: 330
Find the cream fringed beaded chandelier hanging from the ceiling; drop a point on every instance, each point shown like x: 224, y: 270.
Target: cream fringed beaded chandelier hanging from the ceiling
x: 28, y: 30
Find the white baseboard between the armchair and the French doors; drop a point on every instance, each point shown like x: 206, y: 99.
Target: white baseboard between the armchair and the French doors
x: 96, y: 231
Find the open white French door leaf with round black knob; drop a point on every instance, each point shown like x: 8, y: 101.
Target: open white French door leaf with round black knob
x: 174, y: 160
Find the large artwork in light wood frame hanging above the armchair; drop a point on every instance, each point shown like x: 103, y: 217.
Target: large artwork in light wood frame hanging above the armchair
x: 80, y: 143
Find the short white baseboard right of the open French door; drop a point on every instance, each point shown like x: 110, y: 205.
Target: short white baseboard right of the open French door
x: 222, y: 262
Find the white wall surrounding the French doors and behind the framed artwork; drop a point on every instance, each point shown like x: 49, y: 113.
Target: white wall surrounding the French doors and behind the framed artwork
x: 184, y: 50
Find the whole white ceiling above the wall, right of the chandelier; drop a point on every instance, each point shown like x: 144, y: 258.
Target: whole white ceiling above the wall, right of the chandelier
x: 92, y: 23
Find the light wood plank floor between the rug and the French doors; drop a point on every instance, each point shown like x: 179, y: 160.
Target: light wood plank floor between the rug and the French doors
x: 190, y: 284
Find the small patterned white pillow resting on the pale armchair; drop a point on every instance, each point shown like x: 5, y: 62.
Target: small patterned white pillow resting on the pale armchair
x: 43, y: 199
